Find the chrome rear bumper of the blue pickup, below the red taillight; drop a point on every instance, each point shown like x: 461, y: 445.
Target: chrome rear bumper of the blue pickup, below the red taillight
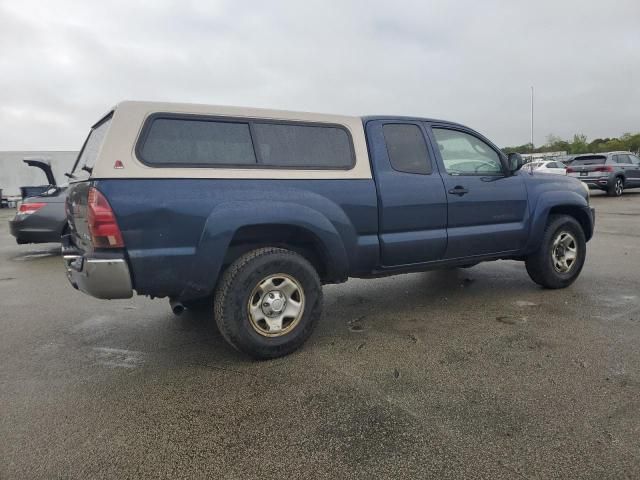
x: 105, y: 277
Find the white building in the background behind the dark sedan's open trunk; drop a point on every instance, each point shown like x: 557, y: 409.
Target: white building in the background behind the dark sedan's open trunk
x: 15, y: 174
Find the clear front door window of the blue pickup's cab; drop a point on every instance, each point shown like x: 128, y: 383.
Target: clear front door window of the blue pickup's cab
x: 465, y: 154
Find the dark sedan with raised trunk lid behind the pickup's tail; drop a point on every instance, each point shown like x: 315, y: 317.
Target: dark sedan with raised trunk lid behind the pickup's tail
x: 40, y: 218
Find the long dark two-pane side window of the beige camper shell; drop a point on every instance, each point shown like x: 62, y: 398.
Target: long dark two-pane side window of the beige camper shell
x: 182, y: 140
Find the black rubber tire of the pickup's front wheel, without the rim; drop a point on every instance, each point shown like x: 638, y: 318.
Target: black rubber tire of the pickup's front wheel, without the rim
x: 540, y: 265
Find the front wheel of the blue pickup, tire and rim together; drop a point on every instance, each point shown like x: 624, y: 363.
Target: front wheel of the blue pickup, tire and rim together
x: 561, y: 255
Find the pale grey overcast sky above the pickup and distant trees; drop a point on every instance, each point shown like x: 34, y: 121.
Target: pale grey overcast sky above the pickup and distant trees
x: 64, y: 63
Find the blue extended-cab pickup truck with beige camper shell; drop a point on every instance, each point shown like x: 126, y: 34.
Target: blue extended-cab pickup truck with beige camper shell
x: 249, y: 212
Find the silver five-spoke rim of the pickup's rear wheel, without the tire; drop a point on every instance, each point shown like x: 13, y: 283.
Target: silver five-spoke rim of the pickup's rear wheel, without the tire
x: 276, y: 305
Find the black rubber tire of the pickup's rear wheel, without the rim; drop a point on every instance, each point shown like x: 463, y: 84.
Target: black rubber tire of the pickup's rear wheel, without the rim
x: 237, y: 288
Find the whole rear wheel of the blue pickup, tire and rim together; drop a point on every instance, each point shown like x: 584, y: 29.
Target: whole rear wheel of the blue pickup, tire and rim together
x: 268, y: 302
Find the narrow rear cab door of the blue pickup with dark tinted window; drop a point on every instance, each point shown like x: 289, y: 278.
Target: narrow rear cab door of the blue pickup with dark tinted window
x: 412, y: 203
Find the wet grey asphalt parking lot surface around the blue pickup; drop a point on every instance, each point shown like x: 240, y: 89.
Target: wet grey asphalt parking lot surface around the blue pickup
x: 472, y: 373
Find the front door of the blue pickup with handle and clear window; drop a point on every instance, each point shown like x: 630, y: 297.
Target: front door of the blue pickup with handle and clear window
x: 487, y: 206
